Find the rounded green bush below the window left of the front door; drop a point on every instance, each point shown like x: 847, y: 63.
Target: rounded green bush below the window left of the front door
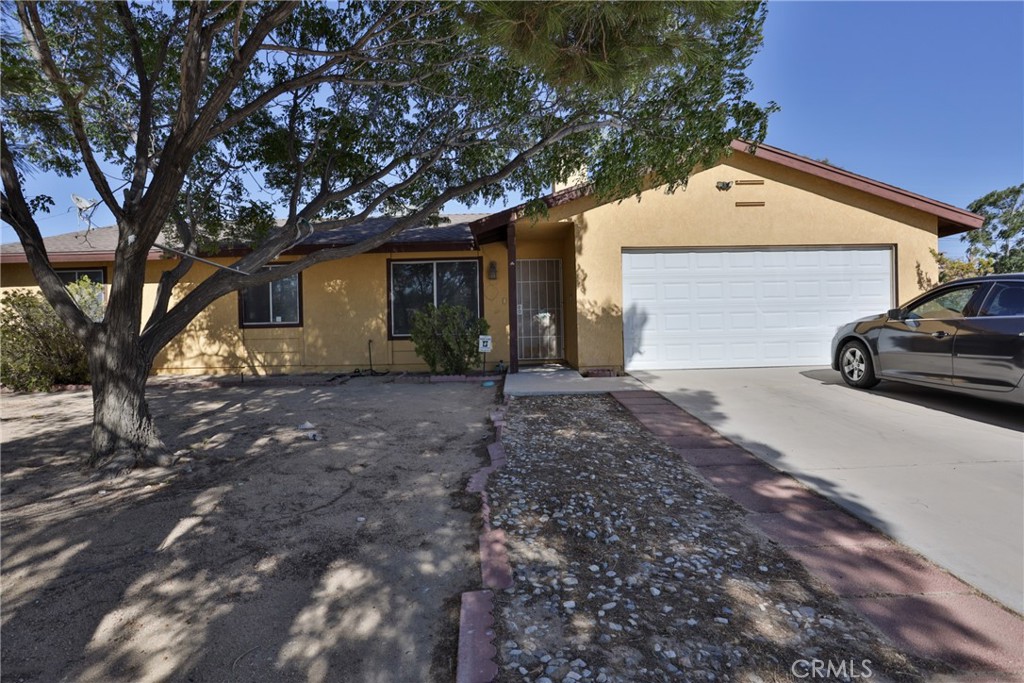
x: 448, y: 337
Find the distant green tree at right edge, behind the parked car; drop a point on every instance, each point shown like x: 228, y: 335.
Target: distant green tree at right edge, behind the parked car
x: 1001, y: 239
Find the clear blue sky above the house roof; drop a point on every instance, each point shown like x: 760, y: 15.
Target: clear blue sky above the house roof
x: 928, y: 97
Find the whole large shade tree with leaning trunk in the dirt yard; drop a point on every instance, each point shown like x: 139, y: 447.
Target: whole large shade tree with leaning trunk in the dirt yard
x: 340, y: 111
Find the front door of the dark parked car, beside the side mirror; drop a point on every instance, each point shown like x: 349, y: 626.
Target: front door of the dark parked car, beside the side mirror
x: 919, y: 345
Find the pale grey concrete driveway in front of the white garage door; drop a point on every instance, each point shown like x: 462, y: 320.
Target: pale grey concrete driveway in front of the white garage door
x: 942, y: 474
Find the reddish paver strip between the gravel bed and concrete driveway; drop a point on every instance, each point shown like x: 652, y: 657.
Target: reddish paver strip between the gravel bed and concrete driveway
x: 915, y: 603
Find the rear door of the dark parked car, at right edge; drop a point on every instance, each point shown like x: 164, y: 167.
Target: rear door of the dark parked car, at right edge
x: 989, y: 351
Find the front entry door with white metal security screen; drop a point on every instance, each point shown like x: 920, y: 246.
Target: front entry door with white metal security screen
x: 539, y: 292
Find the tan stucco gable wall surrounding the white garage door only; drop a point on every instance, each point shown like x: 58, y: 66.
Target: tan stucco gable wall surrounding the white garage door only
x: 798, y: 210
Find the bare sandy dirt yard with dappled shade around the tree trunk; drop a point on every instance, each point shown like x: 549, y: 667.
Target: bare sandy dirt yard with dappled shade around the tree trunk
x: 264, y: 556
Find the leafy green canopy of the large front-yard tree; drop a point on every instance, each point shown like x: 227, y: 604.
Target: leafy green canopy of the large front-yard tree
x: 440, y: 95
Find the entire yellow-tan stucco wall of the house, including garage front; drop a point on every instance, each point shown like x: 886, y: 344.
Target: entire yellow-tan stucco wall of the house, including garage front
x: 346, y: 303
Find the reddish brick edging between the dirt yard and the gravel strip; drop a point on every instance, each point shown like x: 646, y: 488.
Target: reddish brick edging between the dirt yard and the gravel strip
x: 477, y: 651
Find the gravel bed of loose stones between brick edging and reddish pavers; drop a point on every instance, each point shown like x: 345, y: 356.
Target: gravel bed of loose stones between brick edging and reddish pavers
x: 630, y: 568
